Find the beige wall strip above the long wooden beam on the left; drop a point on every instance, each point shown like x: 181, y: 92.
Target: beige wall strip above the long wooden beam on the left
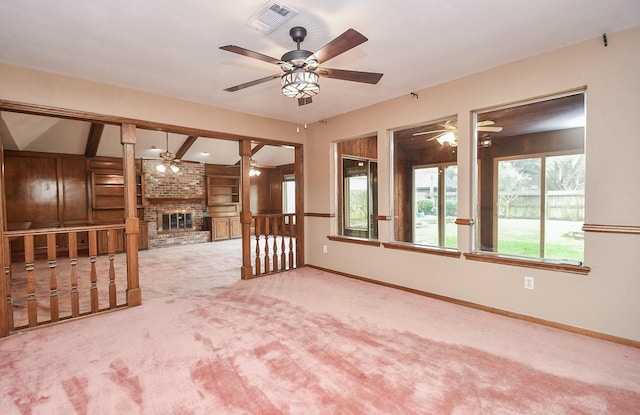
x: 33, y: 87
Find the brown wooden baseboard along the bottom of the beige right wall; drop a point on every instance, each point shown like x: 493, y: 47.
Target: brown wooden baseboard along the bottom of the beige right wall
x: 523, y: 317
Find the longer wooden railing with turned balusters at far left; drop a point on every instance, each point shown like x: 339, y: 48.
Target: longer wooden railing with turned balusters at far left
x: 61, y: 273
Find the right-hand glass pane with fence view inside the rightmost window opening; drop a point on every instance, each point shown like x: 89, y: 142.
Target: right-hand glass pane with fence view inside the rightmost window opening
x: 564, y: 238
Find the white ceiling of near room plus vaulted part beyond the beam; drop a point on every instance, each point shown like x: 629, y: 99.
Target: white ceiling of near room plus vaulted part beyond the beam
x: 170, y: 48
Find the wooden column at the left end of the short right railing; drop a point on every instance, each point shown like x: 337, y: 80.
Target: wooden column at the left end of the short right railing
x: 245, y: 209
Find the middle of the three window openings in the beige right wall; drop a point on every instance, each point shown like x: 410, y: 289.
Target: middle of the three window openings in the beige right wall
x: 426, y: 184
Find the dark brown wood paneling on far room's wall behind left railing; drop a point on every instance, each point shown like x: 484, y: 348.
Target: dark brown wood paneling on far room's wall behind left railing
x: 54, y: 190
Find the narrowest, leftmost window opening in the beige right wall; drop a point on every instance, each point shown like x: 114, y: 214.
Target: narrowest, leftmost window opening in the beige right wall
x: 358, y: 187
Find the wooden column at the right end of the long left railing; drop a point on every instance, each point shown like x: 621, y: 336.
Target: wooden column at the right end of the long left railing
x: 132, y: 227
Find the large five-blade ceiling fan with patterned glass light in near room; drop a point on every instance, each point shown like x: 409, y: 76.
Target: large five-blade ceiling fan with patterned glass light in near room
x: 301, y: 67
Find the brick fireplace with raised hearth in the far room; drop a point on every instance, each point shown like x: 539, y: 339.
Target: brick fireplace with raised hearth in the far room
x: 176, y: 200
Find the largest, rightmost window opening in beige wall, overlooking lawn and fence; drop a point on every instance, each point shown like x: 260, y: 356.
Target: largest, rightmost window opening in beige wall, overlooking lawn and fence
x: 531, y: 171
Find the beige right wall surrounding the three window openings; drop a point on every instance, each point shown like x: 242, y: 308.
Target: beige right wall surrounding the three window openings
x: 607, y: 300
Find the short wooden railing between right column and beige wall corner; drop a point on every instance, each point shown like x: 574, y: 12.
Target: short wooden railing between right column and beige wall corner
x: 274, y: 242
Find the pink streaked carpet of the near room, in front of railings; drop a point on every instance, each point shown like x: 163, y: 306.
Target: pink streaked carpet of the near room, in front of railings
x: 310, y: 342
